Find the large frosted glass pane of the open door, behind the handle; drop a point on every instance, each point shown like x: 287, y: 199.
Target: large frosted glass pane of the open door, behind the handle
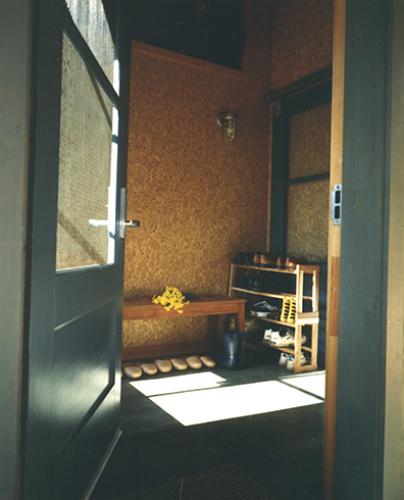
x: 87, y: 168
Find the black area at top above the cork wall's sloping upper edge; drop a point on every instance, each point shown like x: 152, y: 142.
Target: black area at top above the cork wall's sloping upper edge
x: 211, y: 30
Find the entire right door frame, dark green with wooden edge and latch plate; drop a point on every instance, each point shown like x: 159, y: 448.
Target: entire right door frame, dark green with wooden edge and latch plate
x: 364, y: 418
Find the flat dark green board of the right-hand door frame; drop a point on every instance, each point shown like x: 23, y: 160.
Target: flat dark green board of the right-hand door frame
x: 360, y: 391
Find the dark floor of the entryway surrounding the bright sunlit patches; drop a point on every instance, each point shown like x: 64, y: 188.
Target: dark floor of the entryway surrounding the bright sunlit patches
x: 275, y: 455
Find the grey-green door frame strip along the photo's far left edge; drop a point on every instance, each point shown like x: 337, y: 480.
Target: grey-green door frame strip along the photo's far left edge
x: 15, y: 97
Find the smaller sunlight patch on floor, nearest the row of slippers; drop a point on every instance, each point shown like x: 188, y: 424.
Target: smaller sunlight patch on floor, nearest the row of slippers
x: 178, y: 383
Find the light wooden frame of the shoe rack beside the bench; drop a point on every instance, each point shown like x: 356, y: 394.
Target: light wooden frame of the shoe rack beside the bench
x: 303, y: 317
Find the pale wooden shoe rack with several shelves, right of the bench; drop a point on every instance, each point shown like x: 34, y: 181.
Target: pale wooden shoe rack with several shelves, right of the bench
x: 299, y: 305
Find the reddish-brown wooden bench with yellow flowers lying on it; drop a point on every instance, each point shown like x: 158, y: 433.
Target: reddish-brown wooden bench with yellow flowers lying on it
x: 141, y: 308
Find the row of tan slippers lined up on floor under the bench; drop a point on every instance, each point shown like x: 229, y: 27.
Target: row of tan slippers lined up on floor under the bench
x: 135, y: 371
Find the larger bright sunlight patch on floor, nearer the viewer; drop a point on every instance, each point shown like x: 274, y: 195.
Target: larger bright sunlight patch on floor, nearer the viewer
x: 211, y: 405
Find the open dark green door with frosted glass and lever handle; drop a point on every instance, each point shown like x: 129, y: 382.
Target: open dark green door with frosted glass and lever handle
x: 76, y: 262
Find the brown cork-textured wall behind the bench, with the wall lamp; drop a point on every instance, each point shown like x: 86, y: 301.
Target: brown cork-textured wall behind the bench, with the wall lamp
x: 199, y: 197
